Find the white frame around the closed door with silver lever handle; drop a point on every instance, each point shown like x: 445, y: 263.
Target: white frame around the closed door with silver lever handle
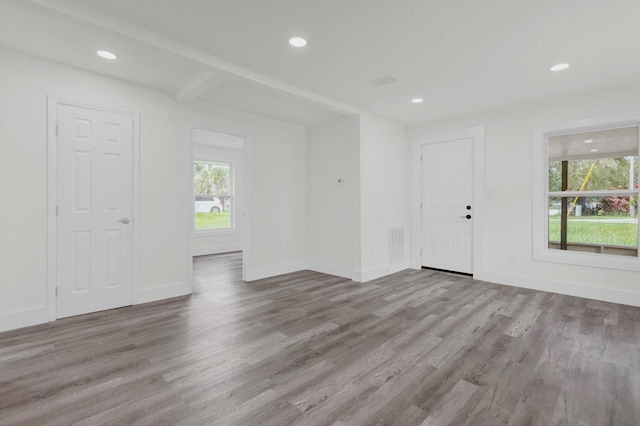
x: 52, y: 196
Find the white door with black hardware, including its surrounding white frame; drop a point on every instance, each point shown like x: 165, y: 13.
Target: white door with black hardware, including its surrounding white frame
x: 448, y: 199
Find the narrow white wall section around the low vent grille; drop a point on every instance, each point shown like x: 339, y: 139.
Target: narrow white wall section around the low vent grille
x: 385, y: 181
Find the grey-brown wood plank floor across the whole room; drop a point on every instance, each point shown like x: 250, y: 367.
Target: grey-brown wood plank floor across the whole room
x: 414, y: 348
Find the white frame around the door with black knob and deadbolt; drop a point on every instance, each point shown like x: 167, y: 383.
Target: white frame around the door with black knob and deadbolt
x: 477, y: 134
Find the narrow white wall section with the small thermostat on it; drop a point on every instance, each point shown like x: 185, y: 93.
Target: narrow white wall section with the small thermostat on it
x: 331, y: 207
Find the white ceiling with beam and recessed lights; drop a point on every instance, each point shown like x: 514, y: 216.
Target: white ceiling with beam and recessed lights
x: 460, y: 56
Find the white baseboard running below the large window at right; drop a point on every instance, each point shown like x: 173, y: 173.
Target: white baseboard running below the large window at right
x: 563, y: 287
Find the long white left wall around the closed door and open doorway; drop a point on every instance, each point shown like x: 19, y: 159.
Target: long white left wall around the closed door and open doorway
x: 278, y: 242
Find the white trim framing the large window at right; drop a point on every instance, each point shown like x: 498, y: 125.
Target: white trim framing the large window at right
x: 540, y: 226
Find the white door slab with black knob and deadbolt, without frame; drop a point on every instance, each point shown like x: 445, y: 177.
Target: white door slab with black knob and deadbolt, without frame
x: 447, y: 210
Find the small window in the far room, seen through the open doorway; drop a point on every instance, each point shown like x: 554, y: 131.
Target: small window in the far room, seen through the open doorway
x: 213, y: 190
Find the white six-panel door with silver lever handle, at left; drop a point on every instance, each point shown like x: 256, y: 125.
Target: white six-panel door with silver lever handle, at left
x: 94, y: 253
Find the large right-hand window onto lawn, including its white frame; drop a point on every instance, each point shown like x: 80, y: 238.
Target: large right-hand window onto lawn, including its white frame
x: 590, y: 197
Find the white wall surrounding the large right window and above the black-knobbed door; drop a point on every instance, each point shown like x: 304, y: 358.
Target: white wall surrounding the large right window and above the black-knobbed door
x: 508, y: 176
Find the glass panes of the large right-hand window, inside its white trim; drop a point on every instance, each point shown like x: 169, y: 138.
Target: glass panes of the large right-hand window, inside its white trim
x: 601, y: 169
